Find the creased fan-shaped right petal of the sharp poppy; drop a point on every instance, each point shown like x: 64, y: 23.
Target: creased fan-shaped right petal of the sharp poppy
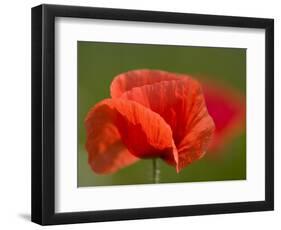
x: 181, y: 104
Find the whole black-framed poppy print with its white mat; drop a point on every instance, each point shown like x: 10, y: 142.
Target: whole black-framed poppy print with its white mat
x: 142, y: 114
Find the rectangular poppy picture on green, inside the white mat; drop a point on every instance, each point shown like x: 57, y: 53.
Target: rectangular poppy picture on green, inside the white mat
x: 151, y: 114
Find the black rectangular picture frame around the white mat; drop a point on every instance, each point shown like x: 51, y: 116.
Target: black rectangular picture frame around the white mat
x: 43, y: 114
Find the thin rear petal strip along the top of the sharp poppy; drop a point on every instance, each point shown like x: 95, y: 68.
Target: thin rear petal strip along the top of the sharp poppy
x: 135, y: 78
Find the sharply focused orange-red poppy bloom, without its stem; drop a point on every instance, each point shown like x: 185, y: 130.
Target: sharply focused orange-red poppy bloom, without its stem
x: 151, y: 114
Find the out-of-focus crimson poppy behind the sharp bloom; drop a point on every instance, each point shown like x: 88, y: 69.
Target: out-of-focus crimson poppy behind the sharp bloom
x: 228, y: 110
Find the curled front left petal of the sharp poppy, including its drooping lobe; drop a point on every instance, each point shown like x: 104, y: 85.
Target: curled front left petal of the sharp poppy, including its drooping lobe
x: 139, y: 132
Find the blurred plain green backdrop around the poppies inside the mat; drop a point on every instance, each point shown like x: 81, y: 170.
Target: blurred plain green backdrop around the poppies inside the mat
x: 99, y: 62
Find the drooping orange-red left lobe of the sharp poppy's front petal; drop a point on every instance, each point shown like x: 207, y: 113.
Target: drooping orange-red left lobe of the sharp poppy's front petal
x: 106, y: 152
